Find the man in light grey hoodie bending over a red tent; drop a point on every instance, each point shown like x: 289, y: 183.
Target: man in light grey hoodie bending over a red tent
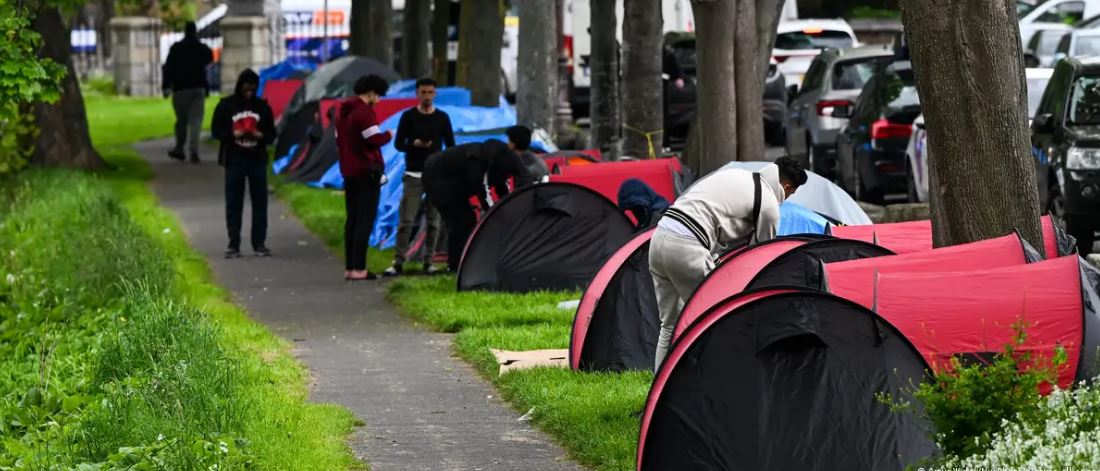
x: 725, y: 207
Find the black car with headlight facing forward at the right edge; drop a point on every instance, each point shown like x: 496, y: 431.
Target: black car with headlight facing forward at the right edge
x: 1066, y: 146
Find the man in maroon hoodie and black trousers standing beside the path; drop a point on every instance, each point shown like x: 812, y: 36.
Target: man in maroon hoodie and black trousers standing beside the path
x: 359, y: 144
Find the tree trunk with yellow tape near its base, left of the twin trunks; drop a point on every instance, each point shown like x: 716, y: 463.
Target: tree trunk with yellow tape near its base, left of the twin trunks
x: 643, y: 94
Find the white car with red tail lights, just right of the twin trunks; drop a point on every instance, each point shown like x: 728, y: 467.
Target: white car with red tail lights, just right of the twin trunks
x: 798, y: 42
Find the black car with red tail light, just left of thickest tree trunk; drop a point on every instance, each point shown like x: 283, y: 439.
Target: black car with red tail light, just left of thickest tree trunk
x: 872, y: 148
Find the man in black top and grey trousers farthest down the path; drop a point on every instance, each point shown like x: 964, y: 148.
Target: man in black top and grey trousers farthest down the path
x: 186, y: 80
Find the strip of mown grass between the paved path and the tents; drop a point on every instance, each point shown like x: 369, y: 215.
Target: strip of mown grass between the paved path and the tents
x: 595, y: 417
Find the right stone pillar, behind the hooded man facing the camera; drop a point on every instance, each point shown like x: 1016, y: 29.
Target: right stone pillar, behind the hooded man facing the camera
x: 246, y: 45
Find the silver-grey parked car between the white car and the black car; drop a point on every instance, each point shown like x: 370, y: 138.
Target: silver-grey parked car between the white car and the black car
x: 835, y: 79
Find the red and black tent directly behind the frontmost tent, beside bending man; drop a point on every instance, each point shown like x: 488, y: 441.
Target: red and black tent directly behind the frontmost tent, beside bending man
x: 779, y: 262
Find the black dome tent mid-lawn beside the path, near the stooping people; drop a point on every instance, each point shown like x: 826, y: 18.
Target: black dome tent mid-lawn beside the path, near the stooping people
x: 549, y: 236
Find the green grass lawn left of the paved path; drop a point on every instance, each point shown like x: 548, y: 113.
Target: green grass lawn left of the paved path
x: 118, y: 350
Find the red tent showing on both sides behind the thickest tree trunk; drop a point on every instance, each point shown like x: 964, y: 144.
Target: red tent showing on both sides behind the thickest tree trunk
x: 917, y: 236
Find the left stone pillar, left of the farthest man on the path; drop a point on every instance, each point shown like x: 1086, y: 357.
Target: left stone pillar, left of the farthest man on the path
x: 136, y: 50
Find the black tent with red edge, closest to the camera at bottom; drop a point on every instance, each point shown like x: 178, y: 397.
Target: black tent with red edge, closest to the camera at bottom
x: 785, y: 380
